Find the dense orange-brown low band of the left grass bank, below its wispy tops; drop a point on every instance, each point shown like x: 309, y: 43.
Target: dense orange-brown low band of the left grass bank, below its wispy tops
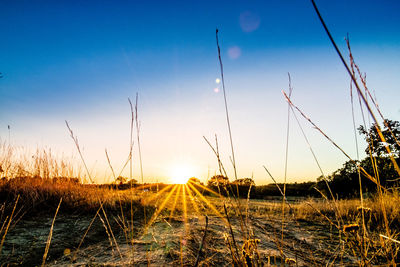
x: 36, y: 193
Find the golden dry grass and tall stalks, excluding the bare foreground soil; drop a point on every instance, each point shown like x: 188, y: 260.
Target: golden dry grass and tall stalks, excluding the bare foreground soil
x: 43, y: 180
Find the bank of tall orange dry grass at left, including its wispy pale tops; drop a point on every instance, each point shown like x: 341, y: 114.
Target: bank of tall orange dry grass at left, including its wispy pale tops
x: 41, y: 179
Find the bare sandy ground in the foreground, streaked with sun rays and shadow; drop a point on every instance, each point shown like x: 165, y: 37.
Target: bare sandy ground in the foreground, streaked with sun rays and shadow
x: 169, y: 242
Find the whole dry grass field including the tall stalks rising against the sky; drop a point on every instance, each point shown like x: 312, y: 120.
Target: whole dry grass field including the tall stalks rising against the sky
x: 49, y: 217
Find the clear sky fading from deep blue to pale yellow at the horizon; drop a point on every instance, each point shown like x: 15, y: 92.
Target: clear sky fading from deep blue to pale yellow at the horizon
x: 80, y: 61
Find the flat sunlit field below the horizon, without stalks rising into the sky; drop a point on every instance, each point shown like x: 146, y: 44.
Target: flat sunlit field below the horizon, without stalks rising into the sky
x: 174, y: 230
